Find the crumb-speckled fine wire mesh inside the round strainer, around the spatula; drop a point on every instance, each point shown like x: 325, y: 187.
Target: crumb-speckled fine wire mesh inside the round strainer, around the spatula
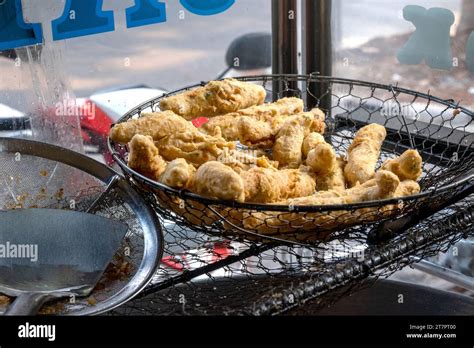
x: 30, y: 181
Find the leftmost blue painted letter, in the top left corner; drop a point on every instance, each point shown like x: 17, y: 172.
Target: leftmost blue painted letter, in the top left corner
x: 14, y: 32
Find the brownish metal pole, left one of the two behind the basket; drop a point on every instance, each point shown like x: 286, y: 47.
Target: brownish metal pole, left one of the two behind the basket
x: 284, y: 43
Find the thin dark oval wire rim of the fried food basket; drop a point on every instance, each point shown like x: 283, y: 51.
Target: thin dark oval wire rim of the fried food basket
x: 184, y: 194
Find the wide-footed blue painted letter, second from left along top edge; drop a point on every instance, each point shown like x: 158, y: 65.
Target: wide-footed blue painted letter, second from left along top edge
x: 82, y: 17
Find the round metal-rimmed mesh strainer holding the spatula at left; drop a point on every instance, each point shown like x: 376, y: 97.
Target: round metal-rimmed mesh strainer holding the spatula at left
x: 32, y: 176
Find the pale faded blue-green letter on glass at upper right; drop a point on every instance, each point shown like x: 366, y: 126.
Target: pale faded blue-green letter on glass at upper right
x: 430, y: 41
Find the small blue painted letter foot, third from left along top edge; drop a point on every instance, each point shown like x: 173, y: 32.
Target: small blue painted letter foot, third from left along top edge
x: 146, y: 12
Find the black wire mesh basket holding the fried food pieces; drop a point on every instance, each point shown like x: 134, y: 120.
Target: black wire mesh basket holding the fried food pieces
x: 441, y: 130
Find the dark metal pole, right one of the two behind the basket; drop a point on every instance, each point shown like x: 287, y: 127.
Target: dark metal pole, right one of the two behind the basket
x: 318, y: 50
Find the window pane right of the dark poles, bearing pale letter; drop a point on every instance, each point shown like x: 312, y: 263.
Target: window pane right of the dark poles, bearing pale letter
x: 370, y: 34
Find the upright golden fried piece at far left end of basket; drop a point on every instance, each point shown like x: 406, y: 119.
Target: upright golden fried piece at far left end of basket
x: 145, y: 158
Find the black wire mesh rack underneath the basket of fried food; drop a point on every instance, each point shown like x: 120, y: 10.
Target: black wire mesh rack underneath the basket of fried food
x: 263, y: 279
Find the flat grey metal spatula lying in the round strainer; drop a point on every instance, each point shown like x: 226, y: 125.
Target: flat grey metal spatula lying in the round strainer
x: 49, y: 253
